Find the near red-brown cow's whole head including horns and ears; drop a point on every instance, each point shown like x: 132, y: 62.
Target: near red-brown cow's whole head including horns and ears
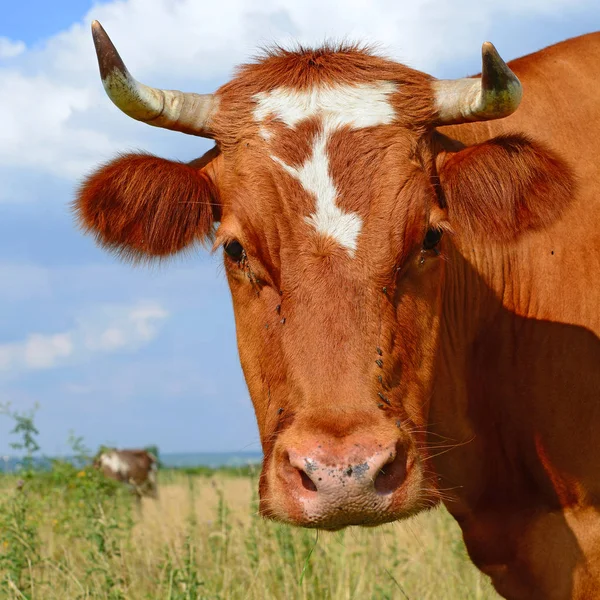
x: 331, y: 189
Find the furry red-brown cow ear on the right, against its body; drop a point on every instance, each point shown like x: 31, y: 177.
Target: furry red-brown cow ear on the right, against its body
x: 503, y: 187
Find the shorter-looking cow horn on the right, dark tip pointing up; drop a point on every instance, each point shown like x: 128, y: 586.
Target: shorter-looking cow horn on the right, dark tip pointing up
x: 495, y: 95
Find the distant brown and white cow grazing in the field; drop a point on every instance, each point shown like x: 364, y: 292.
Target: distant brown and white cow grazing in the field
x: 136, y: 468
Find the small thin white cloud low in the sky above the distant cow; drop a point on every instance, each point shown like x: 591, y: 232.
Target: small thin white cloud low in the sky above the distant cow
x: 105, y: 329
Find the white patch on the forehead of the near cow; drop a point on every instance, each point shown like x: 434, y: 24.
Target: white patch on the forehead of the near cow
x: 354, y: 106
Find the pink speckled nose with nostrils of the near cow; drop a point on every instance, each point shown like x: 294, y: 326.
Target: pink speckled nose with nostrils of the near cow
x: 343, y: 482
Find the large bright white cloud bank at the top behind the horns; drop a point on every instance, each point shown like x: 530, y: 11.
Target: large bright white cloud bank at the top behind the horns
x: 58, y: 121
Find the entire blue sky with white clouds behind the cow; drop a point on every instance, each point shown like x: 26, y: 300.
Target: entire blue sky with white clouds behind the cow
x: 147, y: 356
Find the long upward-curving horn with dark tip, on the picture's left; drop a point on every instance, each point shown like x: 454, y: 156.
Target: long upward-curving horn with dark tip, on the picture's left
x: 171, y: 109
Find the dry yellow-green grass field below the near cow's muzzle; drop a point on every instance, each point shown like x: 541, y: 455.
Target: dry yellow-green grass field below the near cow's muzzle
x: 69, y: 534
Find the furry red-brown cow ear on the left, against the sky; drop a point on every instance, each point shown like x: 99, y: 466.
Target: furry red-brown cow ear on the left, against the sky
x: 142, y: 207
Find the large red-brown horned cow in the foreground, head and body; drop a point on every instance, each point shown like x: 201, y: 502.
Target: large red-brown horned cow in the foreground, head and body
x: 414, y: 265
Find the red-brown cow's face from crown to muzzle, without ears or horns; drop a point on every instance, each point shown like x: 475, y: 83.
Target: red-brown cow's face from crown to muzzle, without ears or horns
x: 330, y: 228
